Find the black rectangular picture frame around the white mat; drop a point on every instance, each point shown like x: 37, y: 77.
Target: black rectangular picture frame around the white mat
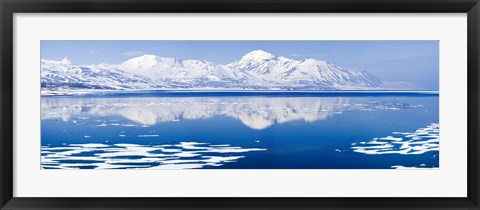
x: 10, y: 7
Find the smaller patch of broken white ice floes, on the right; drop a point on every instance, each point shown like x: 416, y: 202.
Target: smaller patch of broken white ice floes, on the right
x: 420, y: 141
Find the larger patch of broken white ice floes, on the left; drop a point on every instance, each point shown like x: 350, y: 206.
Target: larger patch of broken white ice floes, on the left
x: 182, y: 155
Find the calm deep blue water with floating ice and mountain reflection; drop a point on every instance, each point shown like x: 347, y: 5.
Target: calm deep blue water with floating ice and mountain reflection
x: 179, y: 130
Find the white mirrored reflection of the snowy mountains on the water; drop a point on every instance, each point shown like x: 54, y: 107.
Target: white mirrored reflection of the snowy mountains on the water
x: 255, y: 112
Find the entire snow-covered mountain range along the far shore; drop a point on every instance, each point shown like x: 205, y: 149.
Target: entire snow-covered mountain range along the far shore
x: 257, y: 70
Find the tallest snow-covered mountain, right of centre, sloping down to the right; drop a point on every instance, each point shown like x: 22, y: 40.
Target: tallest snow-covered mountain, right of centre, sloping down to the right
x: 308, y: 73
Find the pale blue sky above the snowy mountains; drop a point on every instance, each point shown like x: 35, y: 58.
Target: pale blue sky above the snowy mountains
x: 413, y: 62
